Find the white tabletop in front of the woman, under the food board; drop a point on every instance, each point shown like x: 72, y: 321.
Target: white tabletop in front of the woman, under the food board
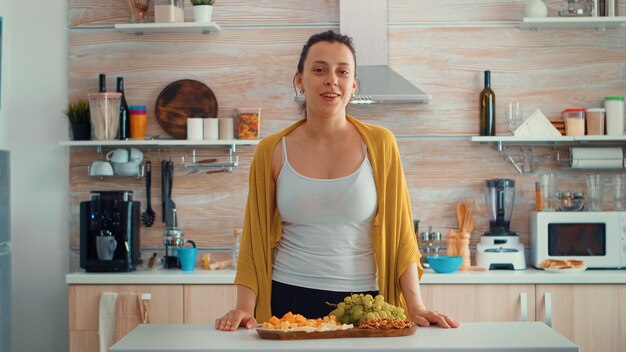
x: 505, y: 337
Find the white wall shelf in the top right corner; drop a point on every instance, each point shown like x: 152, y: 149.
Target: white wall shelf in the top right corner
x: 599, y: 23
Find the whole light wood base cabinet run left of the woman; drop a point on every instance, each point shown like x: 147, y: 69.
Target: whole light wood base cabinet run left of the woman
x: 175, y: 304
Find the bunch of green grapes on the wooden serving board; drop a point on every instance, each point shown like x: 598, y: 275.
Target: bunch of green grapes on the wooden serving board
x: 358, y: 308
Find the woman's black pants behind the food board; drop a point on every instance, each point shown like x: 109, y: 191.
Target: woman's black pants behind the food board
x: 306, y: 301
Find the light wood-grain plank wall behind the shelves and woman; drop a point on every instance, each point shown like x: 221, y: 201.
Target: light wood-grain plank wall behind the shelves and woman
x: 441, y: 46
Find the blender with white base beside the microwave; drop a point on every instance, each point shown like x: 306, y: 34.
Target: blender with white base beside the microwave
x: 500, y: 248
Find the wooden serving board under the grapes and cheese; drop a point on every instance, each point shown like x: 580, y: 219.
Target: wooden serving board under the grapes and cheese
x: 355, y: 332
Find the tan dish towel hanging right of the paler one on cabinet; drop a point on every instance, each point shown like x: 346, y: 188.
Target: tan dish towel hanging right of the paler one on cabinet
x: 130, y: 311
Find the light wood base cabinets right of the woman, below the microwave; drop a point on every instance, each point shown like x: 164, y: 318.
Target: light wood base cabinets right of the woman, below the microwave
x: 592, y: 316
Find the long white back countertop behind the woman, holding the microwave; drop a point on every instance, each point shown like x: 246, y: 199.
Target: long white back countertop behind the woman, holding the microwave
x: 227, y: 276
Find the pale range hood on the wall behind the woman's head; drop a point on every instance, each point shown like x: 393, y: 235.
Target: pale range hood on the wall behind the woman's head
x: 366, y: 22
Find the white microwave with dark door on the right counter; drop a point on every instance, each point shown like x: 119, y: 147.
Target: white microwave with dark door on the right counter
x: 596, y: 237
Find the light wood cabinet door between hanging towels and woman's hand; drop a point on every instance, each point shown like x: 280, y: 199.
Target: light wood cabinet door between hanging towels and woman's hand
x: 205, y: 303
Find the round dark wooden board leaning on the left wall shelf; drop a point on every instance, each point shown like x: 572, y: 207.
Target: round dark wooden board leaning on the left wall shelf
x: 183, y: 99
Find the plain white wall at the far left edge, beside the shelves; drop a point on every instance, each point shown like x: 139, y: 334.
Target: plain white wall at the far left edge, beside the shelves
x: 34, y: 94
